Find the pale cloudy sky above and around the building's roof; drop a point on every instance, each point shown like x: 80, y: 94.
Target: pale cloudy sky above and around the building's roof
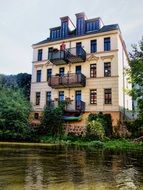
x: 24, y: 22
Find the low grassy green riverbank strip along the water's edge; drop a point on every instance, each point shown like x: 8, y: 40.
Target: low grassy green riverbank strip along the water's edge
x: 116, y: 144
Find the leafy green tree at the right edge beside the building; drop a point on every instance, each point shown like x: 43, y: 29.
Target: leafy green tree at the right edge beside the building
x: 135, y: 76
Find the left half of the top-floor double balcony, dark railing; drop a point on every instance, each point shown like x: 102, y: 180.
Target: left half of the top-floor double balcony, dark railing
x: 58, y: 57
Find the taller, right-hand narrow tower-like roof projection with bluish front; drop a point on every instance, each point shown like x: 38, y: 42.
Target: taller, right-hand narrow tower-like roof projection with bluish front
x: 80, y: 23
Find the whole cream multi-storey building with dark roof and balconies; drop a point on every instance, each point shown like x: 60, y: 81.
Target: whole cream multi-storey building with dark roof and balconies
x: 83, y: 66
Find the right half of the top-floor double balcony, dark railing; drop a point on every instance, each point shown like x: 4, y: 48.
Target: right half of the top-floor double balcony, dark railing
x: 76, y: 55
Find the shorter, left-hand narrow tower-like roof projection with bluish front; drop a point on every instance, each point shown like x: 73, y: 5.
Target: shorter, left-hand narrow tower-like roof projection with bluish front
x: 64, y: 26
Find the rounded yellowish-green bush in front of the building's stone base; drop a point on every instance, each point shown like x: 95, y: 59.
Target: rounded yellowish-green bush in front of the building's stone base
x: 95, y: 129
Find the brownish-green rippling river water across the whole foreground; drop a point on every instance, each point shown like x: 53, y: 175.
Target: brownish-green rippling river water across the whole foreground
x: 69, y: 168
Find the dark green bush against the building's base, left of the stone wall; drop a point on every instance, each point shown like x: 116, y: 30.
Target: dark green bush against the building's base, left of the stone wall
x: 52, y: 121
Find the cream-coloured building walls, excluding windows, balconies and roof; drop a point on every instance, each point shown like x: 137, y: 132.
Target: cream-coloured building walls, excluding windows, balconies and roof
x: 117, y: 56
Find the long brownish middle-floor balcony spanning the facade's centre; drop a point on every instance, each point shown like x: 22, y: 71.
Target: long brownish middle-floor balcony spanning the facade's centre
x: 67, y: 81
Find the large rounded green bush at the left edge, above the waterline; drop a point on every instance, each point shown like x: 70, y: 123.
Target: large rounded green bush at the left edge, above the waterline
x: 14, y: 113
